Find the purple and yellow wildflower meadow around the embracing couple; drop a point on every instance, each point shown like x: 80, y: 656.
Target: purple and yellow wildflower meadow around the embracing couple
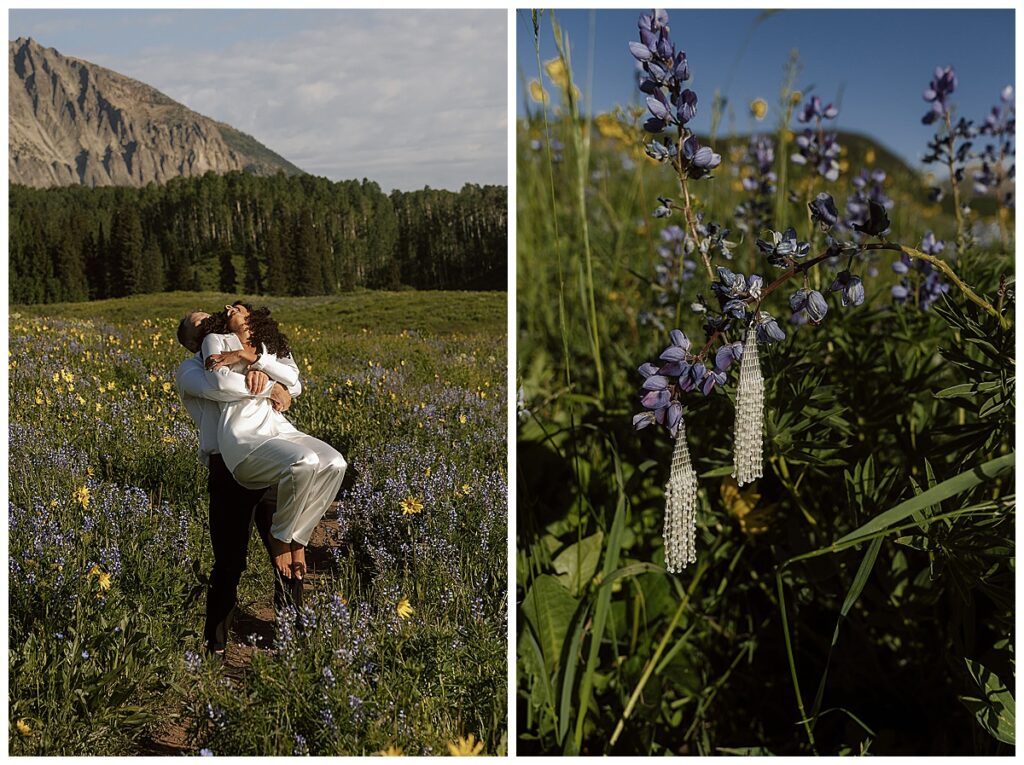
x: 404, y: 649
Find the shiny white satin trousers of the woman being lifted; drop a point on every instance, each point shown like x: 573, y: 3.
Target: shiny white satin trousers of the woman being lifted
x: 308, y: 474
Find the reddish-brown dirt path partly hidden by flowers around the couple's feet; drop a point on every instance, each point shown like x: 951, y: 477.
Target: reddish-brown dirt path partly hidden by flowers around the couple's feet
x: 172, y: 739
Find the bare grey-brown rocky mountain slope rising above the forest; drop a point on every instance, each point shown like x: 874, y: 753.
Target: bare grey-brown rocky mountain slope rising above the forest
x: 75, y: 123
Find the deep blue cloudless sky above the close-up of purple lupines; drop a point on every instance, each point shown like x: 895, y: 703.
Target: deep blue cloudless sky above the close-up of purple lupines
x: 877, y: 62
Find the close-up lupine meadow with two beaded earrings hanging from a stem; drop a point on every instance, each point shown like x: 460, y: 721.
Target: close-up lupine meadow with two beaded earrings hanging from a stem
x: 765, y: 458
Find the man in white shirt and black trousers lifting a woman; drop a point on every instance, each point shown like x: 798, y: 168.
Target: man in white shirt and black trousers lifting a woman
x: 233, y: 507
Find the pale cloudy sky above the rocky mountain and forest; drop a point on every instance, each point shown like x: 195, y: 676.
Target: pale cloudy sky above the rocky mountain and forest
x: 383, y: 95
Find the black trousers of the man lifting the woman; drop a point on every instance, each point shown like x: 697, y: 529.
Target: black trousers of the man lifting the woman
x: 233, y: 509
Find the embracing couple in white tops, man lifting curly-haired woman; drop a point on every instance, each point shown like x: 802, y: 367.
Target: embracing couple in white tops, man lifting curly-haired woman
x: 262, y: 469
